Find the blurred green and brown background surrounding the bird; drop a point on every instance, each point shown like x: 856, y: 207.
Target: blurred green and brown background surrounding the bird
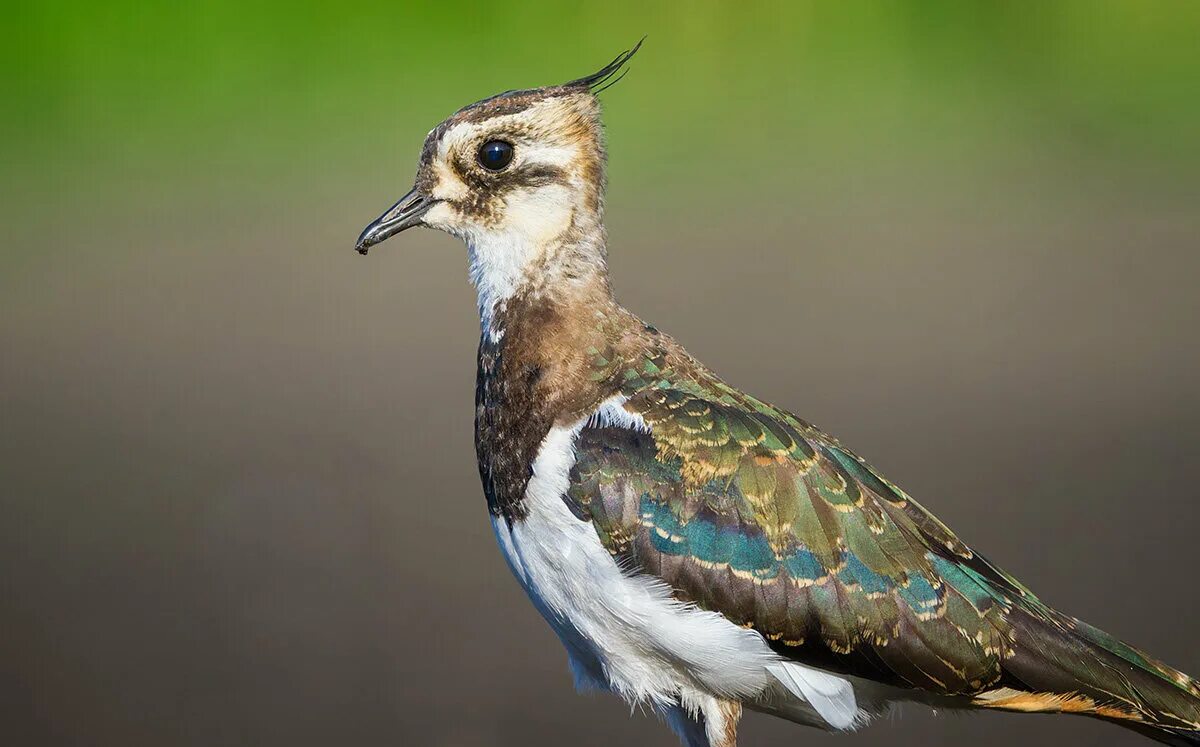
x: 241, y: 501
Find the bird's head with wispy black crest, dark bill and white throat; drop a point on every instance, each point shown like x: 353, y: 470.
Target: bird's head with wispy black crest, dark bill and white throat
x: 518, y: 177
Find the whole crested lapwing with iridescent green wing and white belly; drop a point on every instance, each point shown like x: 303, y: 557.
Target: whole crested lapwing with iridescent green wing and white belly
x: 699, y: 552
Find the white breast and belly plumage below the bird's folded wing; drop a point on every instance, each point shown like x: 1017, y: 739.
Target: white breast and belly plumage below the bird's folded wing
x: 626, y: 632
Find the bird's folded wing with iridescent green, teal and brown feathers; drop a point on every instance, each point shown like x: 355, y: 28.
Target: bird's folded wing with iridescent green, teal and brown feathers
x: 745, y: 510
